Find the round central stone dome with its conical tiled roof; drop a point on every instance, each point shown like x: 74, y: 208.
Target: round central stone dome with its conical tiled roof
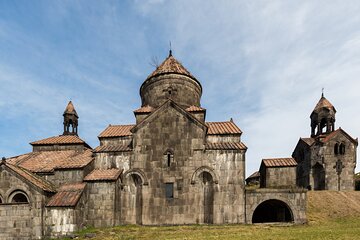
x: 171, y: 80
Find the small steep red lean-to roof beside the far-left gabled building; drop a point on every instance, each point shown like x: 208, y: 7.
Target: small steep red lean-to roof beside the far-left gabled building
x: 67, y: 196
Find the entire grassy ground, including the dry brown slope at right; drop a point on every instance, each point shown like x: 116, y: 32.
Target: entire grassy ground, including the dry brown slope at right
x: 332, y: 215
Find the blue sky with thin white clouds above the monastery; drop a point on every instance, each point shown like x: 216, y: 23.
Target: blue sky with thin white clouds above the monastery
x: 263, y: 63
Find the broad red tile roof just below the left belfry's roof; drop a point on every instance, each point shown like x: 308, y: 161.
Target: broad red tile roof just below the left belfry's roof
x: 48, y: 161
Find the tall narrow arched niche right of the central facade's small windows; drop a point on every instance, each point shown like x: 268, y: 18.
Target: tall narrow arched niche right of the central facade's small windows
x: 208, y: 202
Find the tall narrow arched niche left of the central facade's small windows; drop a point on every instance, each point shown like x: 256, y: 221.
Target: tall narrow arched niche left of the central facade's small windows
x: 136, y: 192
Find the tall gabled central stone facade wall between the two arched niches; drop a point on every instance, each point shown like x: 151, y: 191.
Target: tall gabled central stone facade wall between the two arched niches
x: 169, y: 130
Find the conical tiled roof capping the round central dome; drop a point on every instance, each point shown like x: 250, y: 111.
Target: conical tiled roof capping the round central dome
x: 170, y: 65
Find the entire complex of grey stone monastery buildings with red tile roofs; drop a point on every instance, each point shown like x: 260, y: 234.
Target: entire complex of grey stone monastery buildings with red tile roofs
x: 170, y: 166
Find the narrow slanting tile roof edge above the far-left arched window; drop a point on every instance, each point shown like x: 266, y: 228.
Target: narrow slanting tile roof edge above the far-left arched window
x: 32, y: 178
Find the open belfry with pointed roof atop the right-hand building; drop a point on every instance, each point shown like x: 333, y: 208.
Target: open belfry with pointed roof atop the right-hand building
x: 322, y: 117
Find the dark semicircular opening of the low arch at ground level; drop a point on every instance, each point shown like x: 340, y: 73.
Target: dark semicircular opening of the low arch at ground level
x: 272, y: 211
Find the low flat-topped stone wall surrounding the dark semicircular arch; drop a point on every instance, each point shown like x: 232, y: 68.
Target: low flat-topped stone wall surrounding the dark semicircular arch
x: 295, y: 199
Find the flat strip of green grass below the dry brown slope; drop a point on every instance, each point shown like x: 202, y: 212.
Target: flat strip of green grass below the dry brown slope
x: 348, y: 228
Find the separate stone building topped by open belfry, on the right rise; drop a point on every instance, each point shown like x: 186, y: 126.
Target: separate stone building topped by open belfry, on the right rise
x: 327, y: 159
